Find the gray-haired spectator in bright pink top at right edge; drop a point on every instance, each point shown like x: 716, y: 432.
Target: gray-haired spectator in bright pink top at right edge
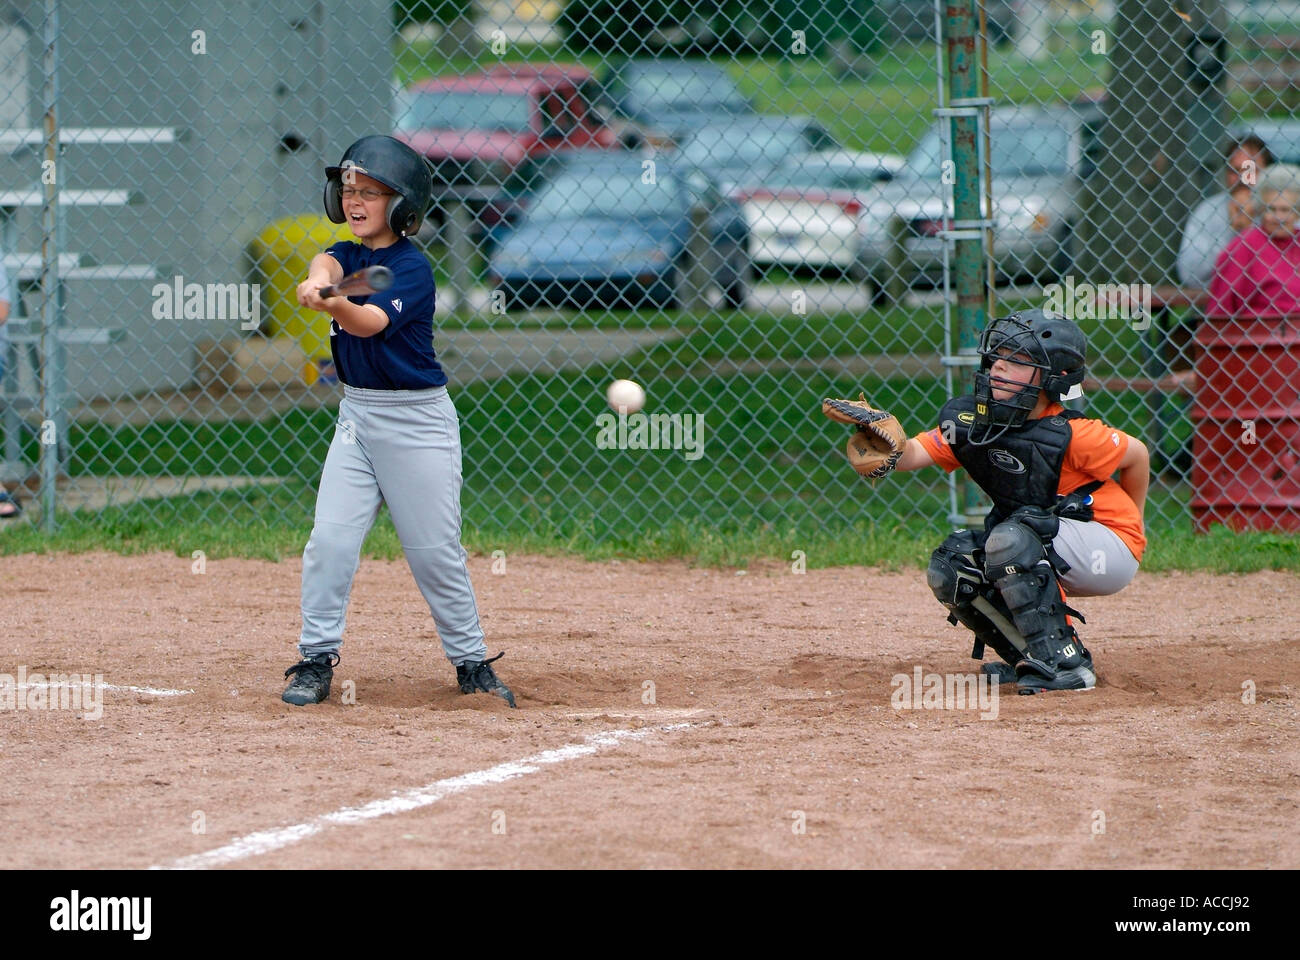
x: 1259, y: 275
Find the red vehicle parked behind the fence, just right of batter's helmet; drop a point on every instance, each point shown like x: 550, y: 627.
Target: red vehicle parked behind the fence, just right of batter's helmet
x: 480, y: 129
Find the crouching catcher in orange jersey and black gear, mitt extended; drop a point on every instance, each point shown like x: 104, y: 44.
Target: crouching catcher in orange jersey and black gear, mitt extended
x: 1060, y: 525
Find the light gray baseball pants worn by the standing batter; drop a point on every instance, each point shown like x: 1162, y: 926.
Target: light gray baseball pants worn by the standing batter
x: 400, y: 448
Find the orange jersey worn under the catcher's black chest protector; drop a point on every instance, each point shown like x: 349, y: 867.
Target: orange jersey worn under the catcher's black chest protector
x: 1094, y: 453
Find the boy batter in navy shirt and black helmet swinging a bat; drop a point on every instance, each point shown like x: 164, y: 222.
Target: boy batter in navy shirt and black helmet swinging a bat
x: 398, y: 436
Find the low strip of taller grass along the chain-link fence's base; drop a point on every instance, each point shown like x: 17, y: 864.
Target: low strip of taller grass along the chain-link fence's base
x: 274, y: 524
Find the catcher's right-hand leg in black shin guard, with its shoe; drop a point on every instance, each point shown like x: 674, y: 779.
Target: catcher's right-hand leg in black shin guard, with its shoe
x: 1017, y: 565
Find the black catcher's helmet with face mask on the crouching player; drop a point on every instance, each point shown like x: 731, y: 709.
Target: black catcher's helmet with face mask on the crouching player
x: 1055, y: 345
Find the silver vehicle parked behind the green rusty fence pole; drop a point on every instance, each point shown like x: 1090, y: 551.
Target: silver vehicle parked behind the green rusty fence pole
x: 1039, y: 165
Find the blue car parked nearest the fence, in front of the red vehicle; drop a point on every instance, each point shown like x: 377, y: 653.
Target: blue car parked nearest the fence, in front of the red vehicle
x: 600, y: 233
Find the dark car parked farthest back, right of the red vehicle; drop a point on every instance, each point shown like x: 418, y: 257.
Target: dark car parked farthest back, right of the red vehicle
x: 673, y: 97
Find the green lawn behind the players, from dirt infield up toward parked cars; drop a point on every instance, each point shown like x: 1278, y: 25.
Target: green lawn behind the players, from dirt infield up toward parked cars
x: 770, y: 482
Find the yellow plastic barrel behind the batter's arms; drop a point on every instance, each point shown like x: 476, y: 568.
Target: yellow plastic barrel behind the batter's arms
x: 281, y: 256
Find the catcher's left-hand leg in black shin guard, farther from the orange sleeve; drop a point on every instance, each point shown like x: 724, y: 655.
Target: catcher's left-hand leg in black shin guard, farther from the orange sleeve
x: 959, y: 582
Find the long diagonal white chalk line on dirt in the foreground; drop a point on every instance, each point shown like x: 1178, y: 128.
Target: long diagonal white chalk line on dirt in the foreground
x: 268, y: 841
